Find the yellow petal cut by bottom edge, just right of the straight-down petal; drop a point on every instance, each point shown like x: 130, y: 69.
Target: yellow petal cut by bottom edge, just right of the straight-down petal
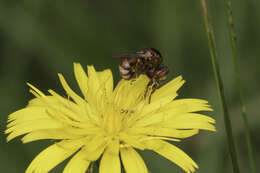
x: 132, y: 161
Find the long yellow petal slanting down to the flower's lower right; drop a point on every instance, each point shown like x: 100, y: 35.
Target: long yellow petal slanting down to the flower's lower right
x: 173, y: 154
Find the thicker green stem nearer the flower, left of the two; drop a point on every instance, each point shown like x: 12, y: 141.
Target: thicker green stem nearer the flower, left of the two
x: 213, y: 53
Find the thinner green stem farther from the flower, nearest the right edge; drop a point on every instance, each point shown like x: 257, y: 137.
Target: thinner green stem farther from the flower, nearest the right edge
x: 238, y: 82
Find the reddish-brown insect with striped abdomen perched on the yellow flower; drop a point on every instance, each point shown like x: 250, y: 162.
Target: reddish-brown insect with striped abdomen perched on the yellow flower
x: 147, y: 61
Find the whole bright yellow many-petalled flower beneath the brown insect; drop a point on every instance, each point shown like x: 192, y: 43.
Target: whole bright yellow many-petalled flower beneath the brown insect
x: 108, y: 123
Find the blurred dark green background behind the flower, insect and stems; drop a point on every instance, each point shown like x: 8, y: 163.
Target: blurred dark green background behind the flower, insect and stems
x: 40, y: 38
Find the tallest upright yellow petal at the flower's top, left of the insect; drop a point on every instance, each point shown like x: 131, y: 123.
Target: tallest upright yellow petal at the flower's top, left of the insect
x: 81, y: 78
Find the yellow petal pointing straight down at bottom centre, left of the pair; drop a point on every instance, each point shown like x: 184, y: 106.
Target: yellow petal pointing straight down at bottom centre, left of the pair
x: 110, y: 161
